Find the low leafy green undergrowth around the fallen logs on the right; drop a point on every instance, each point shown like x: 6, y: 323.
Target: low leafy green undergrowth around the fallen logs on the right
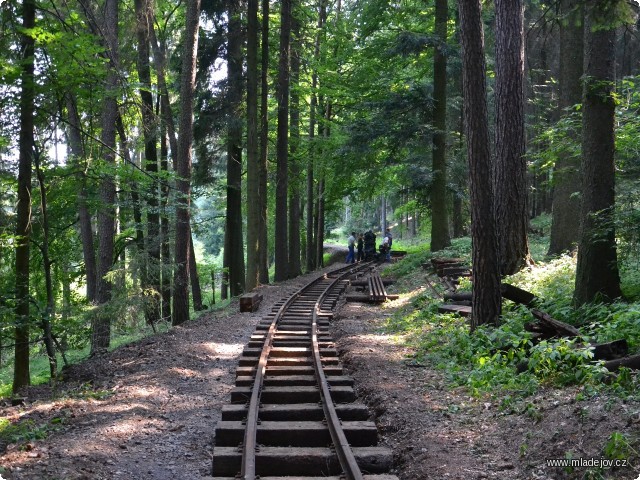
x: 503, y: 361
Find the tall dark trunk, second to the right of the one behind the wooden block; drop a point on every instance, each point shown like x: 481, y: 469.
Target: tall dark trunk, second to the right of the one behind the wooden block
x: 282, y: 147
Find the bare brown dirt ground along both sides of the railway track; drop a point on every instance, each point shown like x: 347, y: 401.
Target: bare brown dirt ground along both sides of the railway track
x: 148, y: 410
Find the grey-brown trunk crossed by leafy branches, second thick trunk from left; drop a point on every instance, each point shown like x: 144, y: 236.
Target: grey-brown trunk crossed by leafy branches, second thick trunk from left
x: 101, y: 322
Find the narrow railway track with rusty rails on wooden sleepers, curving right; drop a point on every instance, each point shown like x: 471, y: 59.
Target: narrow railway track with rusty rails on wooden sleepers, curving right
x: 293, y: 414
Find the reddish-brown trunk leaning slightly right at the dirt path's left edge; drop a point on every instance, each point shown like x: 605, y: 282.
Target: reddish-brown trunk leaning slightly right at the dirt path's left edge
x: 183, y: 237
